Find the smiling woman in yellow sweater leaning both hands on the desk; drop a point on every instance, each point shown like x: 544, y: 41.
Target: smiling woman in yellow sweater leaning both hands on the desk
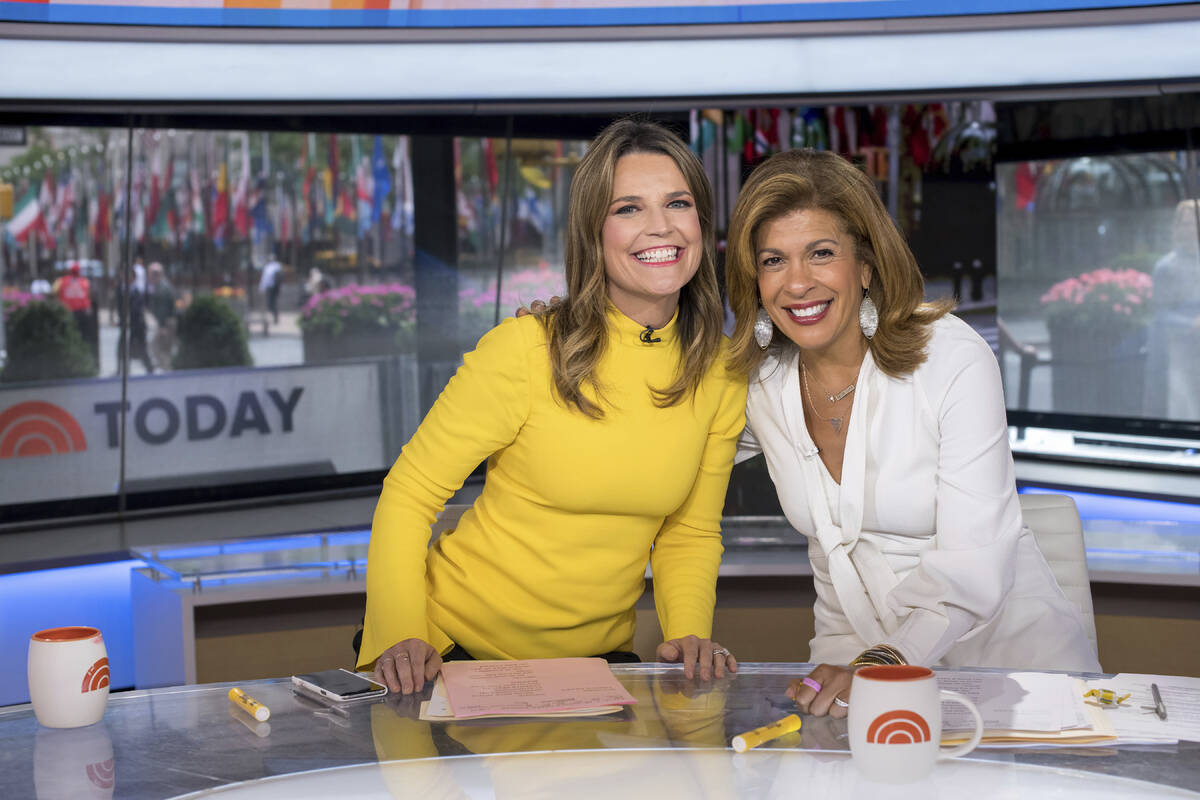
x: 609, y: 428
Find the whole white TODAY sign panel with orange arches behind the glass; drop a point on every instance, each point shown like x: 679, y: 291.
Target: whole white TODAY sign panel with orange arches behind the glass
x: 63, y: 441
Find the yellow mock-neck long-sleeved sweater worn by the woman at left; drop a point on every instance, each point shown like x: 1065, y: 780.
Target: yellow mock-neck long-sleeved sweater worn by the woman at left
x: 550, y: 561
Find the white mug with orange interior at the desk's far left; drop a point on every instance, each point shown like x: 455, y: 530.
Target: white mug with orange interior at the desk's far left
x: 68, y: 677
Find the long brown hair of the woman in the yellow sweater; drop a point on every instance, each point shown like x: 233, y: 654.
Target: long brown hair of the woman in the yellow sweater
x: 578, y: 329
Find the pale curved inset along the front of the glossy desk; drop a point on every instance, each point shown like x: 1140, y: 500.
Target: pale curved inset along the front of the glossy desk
x: 703, y: 774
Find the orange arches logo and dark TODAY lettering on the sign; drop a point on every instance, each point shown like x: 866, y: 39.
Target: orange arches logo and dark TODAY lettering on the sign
x: 41, y: 429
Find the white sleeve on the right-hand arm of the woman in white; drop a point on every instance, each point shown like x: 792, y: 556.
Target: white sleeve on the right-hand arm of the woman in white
x: 963, y: 581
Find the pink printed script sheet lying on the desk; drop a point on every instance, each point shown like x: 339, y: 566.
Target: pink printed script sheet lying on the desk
x: 531, y: 687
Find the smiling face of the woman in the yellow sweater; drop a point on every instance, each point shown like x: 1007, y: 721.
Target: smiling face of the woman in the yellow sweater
x: 652, y: 238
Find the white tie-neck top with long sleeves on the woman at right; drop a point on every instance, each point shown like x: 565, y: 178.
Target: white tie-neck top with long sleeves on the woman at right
x: 922, y: 546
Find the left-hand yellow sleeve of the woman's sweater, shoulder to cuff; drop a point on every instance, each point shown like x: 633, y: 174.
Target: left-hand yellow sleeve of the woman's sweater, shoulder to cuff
x: 479, y: 412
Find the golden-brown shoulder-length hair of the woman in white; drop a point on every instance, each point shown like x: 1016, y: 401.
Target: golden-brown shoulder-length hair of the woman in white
x: 800, y: 181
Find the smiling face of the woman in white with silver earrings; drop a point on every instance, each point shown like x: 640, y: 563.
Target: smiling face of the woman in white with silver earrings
x: 812, y: 282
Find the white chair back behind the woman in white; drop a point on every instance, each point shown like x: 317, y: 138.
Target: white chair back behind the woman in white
x: 1059, y: 533
